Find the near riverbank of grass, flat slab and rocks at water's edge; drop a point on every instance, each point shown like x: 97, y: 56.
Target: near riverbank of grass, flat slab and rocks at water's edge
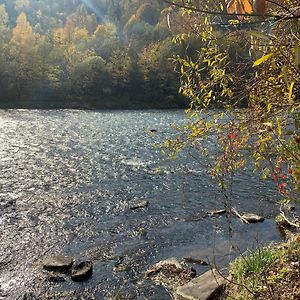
x: 269, y: 272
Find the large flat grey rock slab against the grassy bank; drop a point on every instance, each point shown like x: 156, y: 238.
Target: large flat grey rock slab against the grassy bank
x: 205, y: 287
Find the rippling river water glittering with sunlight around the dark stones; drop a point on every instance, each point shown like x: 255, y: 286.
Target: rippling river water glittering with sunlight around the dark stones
x: 67, y: 181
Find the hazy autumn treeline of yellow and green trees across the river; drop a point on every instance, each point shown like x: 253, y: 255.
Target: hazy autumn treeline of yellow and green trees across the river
x: 92, y: 53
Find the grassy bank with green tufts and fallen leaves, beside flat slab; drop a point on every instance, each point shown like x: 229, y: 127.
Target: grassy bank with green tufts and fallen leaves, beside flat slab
x: 271, y: 272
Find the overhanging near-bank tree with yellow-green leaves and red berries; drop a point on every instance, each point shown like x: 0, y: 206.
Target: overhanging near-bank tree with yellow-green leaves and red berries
x: 265, y: 134
